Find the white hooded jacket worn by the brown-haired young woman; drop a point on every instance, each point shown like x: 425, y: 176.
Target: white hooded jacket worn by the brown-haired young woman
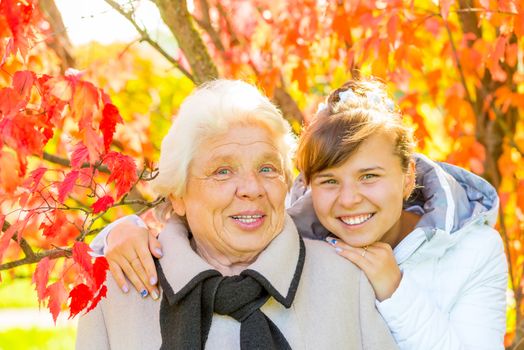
x: 454, y: 271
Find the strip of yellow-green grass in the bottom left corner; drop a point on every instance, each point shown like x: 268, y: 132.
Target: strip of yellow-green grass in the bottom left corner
x: 38, y: 338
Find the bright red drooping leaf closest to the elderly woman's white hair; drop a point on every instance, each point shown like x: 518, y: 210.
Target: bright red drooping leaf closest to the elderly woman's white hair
x: 123, y: 171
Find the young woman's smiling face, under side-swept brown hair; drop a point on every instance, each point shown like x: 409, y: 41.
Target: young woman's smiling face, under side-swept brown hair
x: 360, y: 201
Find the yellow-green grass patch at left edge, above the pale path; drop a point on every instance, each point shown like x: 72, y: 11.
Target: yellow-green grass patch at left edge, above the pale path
x: 17, y: 293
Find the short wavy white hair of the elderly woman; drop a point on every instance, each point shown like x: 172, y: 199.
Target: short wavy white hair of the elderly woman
x: 209, y: 111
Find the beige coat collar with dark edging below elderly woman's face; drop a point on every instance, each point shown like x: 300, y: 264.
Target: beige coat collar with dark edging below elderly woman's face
x: 279, y: 265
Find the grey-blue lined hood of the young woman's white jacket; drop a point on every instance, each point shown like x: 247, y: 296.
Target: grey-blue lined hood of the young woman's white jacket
x: 446, y: 196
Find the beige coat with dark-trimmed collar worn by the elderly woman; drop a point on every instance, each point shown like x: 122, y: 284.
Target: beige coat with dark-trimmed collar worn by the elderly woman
x: 334, y: 307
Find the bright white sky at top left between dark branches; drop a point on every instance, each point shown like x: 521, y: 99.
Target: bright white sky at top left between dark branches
x: 94, y: 20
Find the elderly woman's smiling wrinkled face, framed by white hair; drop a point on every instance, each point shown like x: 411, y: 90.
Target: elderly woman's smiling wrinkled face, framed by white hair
x: 234, y: 198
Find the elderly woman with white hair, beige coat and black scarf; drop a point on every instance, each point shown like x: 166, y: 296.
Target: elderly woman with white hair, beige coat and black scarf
x: 241, y: 277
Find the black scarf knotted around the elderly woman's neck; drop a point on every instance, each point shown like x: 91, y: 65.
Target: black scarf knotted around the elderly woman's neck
x: 185, y: 317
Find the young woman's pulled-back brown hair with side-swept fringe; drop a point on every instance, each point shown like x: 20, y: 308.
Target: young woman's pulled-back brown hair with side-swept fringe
x: 352, y: 113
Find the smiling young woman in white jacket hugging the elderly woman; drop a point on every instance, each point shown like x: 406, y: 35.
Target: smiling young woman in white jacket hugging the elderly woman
x: 421, y: 231
